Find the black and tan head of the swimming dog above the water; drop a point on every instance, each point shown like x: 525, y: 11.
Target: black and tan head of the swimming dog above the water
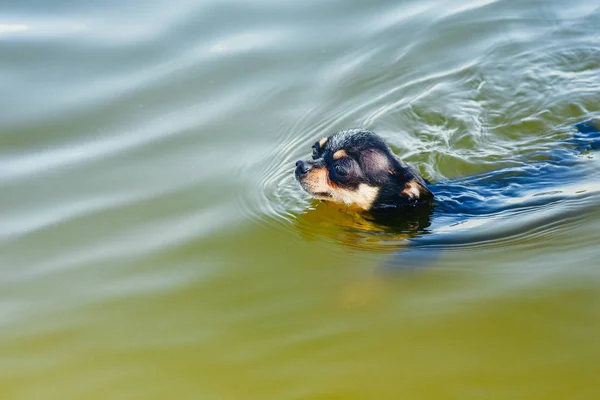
x: 358, y: 168
